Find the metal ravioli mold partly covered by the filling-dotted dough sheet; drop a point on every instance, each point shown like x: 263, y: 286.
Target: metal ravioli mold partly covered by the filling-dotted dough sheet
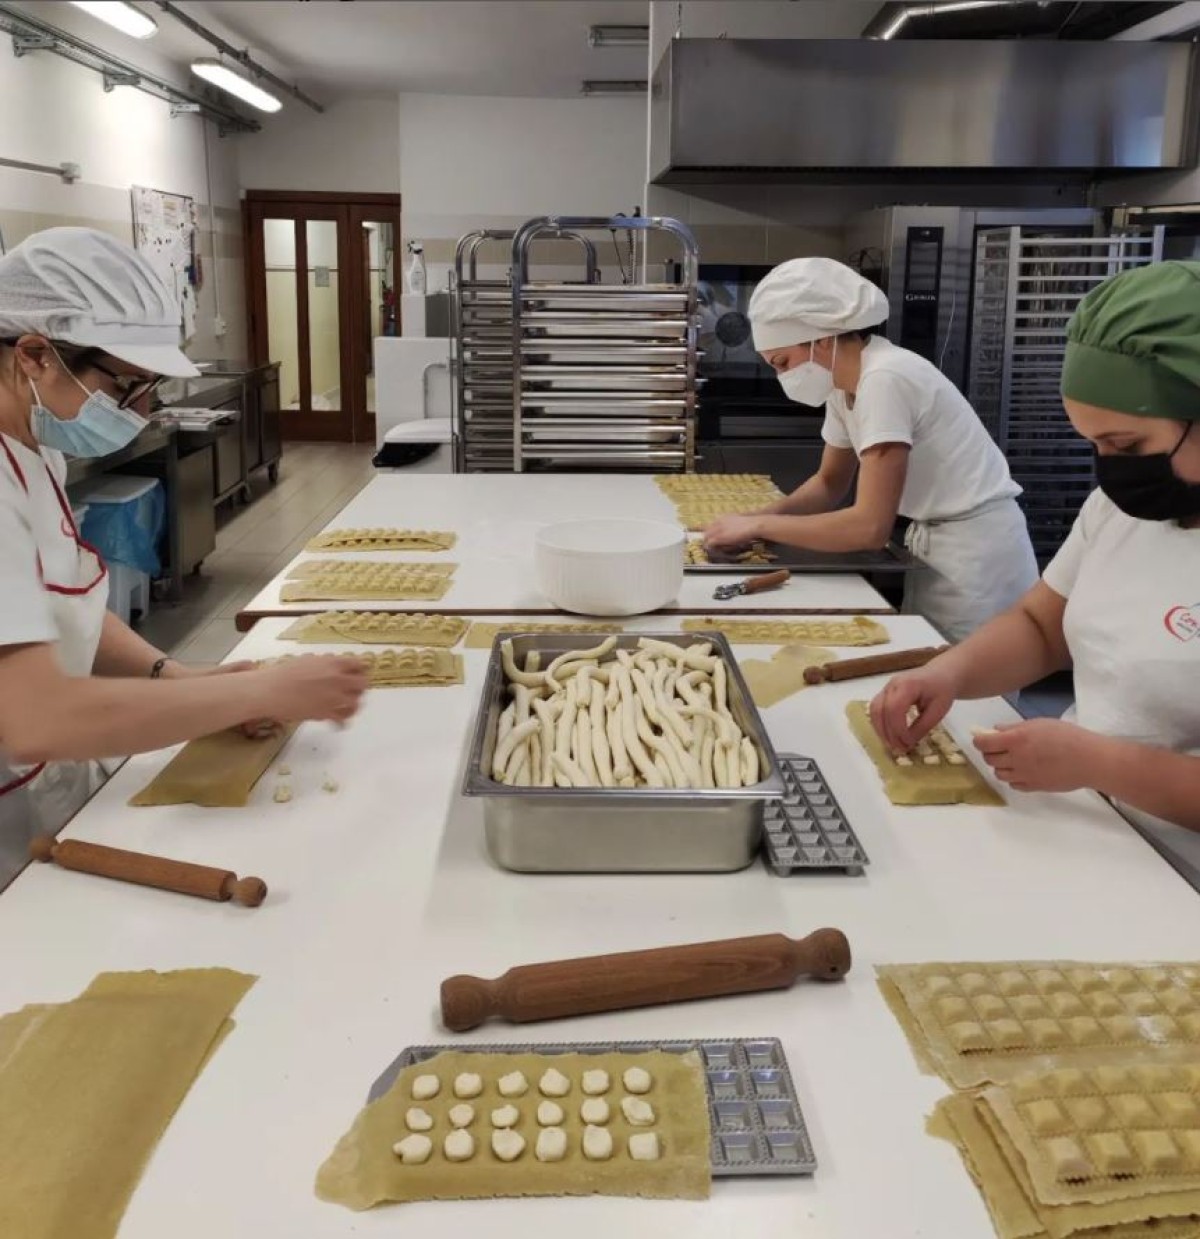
x: 754, y: 1110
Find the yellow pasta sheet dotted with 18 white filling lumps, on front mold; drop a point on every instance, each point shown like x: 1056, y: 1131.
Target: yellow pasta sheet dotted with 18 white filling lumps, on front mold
x: 363, y: 1171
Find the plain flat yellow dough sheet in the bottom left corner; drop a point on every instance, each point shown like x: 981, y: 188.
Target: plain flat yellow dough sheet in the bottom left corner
x: 87, y: 1088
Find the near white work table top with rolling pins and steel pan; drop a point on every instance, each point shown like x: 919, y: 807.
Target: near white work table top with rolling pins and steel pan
x: 385, y: 889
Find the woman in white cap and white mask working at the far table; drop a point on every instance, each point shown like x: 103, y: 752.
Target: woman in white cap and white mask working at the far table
x: 917, y: 445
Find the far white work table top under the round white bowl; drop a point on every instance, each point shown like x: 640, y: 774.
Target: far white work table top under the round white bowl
x: 496, y: 517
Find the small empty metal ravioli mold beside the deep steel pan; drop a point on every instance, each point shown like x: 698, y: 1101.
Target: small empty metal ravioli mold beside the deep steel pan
x: 807, y: 830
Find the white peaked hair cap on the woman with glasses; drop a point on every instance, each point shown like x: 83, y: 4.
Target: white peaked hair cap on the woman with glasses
x: 86, y: 288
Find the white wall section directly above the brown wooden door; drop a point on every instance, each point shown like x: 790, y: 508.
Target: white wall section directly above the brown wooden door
x: 354, y: 147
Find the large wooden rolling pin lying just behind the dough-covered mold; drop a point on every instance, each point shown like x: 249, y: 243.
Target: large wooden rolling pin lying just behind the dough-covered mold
x: 645, y: 978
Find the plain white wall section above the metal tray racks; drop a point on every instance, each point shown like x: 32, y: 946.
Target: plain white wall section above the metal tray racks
x: 471, y: 163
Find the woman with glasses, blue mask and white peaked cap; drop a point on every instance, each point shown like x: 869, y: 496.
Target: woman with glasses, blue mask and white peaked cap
x: 87, y: 331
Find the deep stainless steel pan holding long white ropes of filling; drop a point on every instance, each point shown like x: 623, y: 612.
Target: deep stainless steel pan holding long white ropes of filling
x: 632, y: 831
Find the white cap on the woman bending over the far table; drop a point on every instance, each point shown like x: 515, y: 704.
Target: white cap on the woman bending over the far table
x: 807, y: 299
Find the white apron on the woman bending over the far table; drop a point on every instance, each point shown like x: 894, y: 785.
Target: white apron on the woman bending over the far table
x: 976, y: 567
